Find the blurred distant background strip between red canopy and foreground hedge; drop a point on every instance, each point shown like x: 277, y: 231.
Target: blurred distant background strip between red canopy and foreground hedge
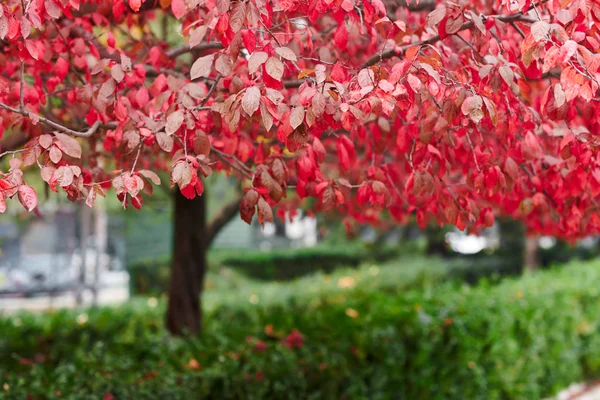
x: 70, y: 255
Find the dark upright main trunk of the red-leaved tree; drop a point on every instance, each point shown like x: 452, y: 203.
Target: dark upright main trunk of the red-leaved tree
x: 184, y: 312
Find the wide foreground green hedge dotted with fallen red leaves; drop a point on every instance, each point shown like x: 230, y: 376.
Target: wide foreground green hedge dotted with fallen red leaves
x: 521, y: 339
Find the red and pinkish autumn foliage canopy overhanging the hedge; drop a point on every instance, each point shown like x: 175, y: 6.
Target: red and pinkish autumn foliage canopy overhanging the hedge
x: 456, y: 111
